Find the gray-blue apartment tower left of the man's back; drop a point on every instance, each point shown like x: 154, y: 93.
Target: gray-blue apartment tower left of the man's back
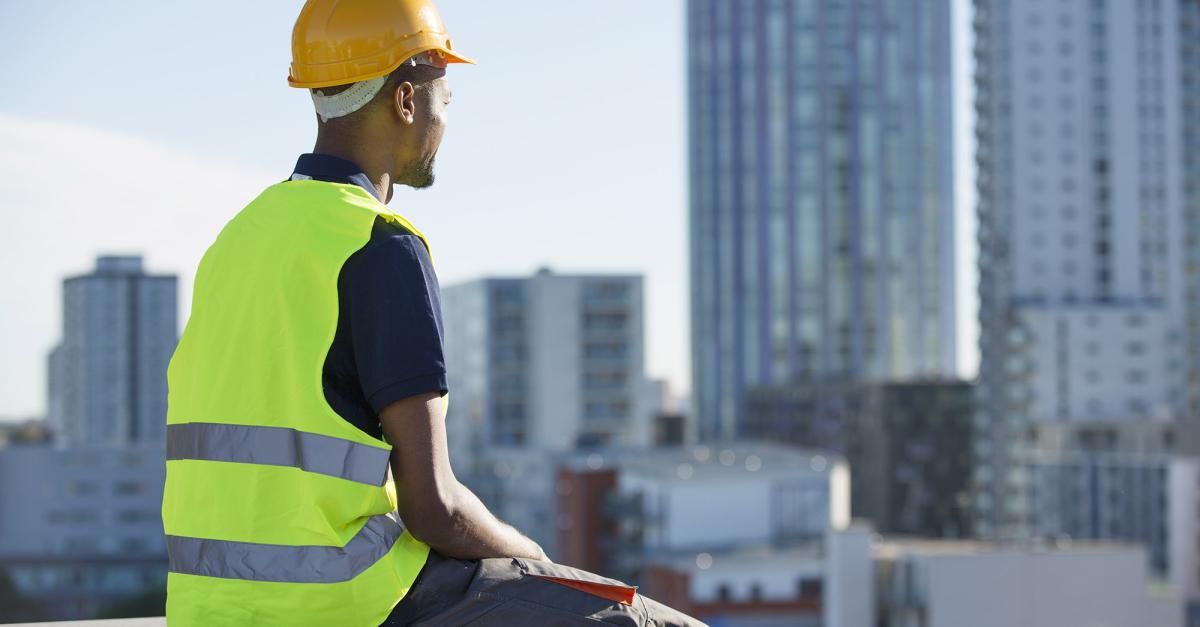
x: 107, y: 379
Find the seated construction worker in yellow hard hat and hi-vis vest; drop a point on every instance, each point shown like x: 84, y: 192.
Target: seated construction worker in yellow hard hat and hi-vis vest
x: 308, y: 475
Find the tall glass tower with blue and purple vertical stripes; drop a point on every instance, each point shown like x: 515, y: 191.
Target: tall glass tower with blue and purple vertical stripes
x: 821, y: 206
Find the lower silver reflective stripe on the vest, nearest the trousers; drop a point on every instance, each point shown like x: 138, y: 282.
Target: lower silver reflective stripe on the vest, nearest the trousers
x: 281, y: 563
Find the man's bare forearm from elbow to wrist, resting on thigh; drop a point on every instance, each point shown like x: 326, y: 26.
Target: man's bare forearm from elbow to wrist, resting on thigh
x: 472, y: 533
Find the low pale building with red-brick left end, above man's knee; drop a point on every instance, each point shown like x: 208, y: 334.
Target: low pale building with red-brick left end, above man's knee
x: 620, y: 510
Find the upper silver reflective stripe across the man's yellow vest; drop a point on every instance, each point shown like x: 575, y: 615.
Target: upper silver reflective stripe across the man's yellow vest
x: 279, y: 446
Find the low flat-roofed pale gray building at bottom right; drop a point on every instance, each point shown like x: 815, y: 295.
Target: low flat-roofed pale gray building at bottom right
x: 947, y: 584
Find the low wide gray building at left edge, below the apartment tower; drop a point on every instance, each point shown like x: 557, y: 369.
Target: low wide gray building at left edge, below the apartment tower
x: 80, y: 530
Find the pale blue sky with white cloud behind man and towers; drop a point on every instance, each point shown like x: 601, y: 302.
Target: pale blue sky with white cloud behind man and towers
x: 142, y: 127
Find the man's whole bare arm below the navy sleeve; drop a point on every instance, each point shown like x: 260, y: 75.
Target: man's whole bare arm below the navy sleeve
x: 436, y: 509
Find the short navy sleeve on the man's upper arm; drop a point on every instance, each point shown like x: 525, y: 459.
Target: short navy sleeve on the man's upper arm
x: 394, y: 306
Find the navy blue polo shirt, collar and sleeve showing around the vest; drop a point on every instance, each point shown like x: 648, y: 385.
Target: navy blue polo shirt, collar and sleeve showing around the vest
x: 389, y: 342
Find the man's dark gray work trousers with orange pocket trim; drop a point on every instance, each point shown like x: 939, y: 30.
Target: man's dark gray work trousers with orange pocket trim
x: 508, y: 592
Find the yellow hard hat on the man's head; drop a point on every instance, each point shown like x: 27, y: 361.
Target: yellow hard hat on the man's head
x: 337, y: 43
